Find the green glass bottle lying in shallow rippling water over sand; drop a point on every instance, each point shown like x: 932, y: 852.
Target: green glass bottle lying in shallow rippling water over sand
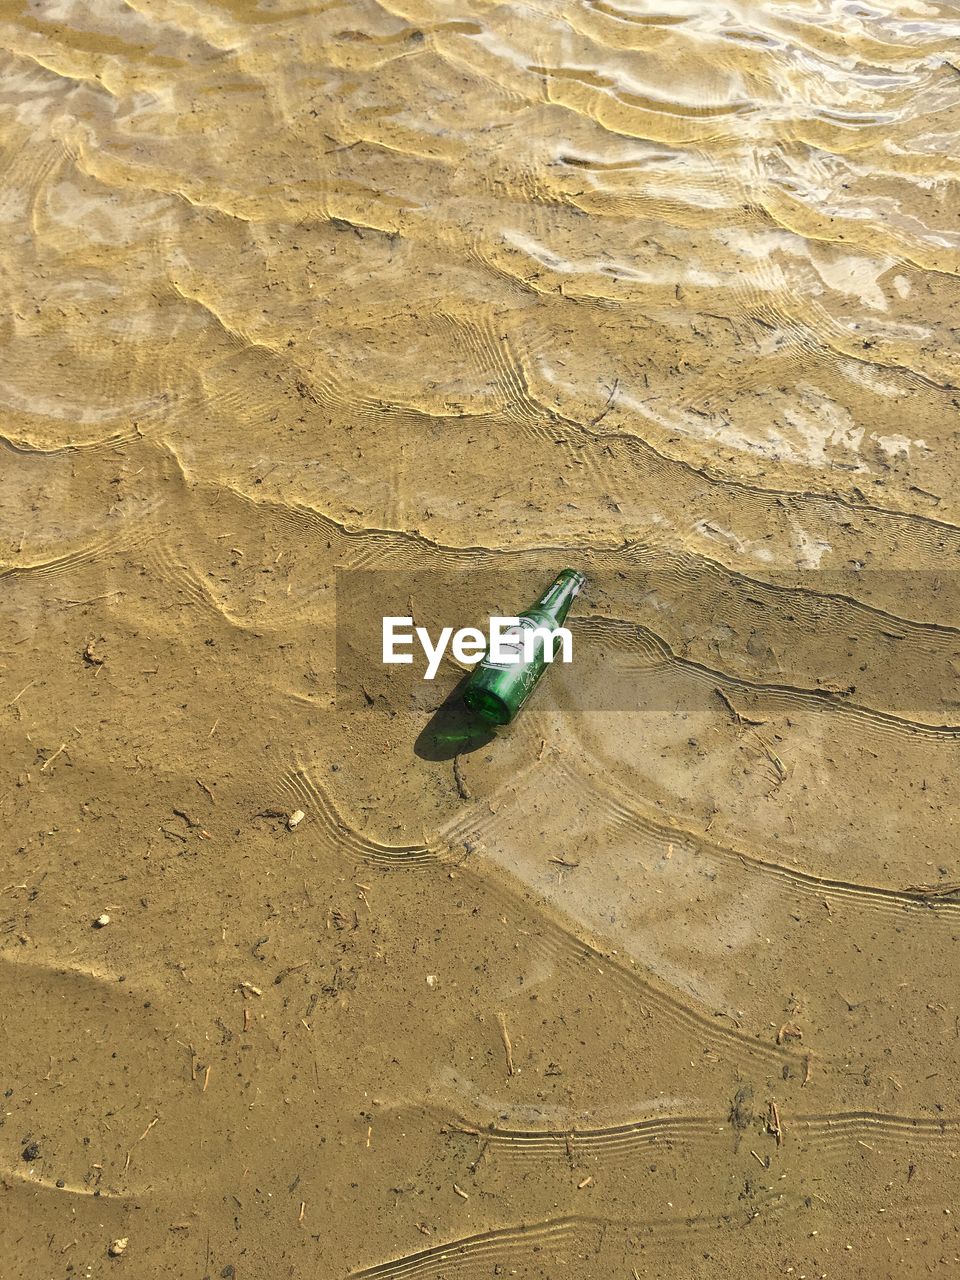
x: 497, y: 691
